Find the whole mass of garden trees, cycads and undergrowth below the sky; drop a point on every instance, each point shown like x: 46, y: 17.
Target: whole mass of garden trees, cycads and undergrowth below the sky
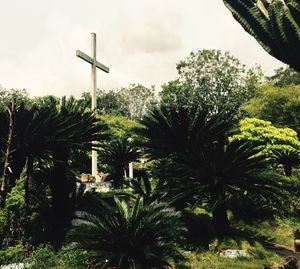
x: 205, y: 177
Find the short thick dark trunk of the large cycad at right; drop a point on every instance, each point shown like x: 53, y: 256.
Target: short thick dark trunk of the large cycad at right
x: 220, y: 220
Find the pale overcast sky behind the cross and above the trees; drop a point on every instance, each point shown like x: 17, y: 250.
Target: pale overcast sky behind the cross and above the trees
x: 140, y: 40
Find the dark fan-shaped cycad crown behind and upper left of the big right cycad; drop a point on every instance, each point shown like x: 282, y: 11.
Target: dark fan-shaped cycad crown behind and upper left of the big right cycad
x: 174, y: 131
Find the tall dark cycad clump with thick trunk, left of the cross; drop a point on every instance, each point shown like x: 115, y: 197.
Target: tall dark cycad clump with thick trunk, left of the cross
x: 47, y: 134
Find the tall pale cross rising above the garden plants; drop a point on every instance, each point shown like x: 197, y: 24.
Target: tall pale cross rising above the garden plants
x: 94, y: 64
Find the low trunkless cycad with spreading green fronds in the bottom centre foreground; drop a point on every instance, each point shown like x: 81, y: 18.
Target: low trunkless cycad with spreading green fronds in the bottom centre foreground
x: 127, y: 237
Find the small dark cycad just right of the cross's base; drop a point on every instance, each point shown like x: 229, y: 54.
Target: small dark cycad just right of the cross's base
x: 117, y: 154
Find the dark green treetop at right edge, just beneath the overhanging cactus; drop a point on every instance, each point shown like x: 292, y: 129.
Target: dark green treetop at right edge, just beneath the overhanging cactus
x: 284, y: 77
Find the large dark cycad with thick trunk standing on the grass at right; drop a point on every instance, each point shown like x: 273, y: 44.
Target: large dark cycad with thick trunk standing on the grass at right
x: 235, y: 173
